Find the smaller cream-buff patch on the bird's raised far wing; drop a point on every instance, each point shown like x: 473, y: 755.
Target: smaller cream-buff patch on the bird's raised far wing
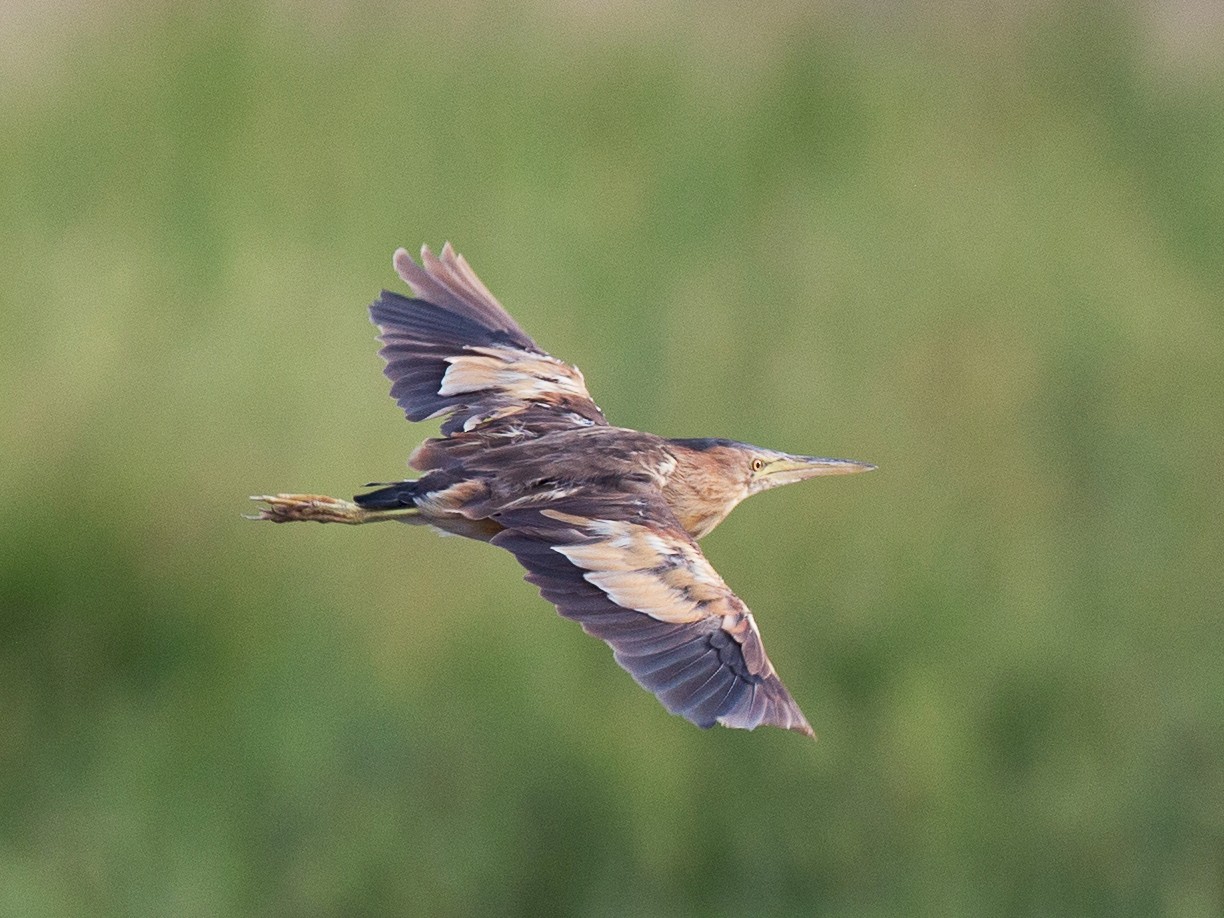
x: 517, y: 374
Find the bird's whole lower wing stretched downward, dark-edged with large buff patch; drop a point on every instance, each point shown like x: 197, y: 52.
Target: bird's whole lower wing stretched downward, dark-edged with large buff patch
x: 629, y: 573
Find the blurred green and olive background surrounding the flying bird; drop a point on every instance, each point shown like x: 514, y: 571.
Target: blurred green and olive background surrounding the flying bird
x: 981, y: 249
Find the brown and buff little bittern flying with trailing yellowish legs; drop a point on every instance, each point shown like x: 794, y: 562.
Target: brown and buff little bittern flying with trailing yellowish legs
x: 604, y: 520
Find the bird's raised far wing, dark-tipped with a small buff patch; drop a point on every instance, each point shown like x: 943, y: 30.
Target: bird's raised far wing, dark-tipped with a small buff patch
x: 457, y: 352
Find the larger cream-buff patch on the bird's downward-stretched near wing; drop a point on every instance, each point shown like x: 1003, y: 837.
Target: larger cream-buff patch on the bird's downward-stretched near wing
x: 649, y: 571
